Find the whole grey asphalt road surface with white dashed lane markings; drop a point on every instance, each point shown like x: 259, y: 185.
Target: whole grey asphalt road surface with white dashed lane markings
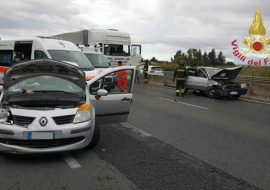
x: 190, y: 143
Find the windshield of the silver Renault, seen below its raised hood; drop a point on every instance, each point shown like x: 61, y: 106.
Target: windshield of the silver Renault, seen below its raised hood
x: 44, y: 83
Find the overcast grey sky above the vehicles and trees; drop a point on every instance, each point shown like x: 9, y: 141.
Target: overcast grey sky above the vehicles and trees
x: 161, y: 26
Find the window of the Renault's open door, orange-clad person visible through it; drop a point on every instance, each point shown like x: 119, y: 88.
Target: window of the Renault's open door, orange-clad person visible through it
x: 115, y: 83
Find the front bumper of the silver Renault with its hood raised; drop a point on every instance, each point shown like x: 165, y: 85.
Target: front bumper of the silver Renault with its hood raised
x: 14, y: 139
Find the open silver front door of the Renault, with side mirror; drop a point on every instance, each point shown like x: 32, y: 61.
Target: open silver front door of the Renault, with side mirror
x: 111, y: 94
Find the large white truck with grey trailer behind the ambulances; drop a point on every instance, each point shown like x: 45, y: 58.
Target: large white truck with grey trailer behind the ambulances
x: 115, y: 45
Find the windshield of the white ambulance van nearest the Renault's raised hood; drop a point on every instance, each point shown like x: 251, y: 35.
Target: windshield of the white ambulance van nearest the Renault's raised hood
x: 72, y: 56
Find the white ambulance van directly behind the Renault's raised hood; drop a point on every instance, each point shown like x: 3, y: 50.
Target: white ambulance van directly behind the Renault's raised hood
x: 44, y: 48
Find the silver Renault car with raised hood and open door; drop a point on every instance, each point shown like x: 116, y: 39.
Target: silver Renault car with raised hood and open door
x: 47, y: 106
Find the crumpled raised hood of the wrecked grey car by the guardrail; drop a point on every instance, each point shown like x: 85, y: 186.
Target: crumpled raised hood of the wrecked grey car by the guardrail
x: 227, y: 74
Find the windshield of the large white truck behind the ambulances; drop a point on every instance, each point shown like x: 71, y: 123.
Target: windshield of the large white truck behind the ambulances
x: 117, y: 50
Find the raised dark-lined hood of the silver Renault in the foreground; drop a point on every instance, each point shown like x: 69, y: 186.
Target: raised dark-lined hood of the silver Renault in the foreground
x: 34, y: 68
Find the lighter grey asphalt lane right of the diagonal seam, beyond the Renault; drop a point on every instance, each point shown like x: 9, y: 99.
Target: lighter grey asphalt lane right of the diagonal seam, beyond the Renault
x: 232, y: 135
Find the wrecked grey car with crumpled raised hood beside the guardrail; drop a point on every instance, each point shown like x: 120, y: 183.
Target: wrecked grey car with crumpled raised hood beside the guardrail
x: 216, y: 82
